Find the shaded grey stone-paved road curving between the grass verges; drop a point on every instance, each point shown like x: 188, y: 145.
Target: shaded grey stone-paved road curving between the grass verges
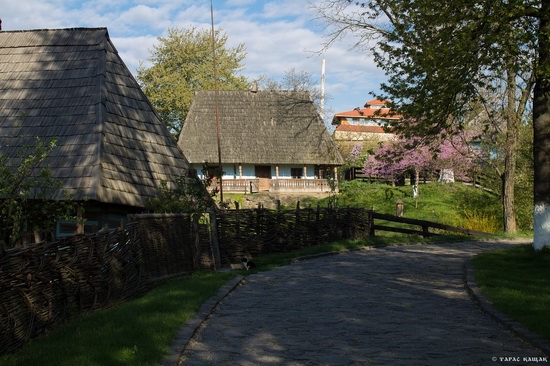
x: 401, y: 305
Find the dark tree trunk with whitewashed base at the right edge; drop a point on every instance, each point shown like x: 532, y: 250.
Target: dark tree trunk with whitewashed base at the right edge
x: 541, y: 133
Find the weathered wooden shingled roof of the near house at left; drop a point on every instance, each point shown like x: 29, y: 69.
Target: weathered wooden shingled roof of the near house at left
x: 71, y: 84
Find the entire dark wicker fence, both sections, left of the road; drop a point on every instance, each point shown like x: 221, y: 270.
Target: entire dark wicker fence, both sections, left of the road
x: 43, y: 285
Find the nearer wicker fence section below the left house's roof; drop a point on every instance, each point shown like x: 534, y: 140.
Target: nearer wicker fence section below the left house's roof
x: 46, y: 284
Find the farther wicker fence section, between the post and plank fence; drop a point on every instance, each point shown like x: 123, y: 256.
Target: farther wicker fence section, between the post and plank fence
x: 253, y: 232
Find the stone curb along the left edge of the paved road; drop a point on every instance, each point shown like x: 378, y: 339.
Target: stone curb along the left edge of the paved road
x: 192, y: 325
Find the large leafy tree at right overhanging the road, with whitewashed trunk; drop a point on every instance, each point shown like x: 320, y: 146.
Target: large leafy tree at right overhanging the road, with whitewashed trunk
x: 438, y: 57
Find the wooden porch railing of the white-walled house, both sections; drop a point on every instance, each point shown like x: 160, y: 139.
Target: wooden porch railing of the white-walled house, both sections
x: 276, y: 185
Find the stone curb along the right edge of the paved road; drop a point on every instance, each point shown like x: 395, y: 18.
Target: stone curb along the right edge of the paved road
x: 487, y: 308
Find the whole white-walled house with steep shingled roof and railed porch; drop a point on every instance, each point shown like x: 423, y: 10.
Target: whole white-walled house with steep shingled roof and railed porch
x: 273, y: 141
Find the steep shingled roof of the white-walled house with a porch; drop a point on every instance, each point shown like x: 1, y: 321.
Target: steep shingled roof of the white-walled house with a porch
x: 257, y: 128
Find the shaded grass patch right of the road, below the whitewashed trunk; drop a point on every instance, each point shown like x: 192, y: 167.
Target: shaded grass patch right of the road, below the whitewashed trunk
x: 517, y: 282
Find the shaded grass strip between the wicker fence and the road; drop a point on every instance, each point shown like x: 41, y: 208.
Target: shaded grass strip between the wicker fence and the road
x: 140, y: 331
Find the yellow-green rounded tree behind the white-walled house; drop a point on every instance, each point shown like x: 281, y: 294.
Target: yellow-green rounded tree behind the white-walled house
x: 182, y: 63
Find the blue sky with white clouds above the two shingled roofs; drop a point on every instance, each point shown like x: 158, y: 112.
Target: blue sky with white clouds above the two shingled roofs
x: 279, y: 35
